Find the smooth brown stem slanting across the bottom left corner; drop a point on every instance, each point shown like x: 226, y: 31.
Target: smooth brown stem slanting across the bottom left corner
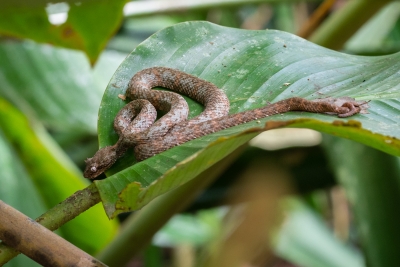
x: 38, y: 242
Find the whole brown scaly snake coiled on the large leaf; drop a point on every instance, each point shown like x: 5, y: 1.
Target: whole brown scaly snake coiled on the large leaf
x: 136, y: 128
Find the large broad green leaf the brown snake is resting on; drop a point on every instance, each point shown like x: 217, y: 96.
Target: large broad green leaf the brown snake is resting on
x: 253, y: 68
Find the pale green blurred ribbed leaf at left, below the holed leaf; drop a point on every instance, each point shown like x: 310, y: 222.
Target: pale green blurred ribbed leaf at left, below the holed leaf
x: 55, y: 85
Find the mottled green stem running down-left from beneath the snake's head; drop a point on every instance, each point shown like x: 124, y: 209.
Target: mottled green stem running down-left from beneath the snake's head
x: 59, y: 215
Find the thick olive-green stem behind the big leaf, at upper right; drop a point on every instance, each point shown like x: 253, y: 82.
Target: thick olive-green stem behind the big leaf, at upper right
x: 338, y: 28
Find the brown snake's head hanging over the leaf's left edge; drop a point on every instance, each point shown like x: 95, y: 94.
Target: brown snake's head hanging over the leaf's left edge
x: 100, y: 162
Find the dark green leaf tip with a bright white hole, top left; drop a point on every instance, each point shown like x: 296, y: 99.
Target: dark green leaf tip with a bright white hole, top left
x: 88, y: 26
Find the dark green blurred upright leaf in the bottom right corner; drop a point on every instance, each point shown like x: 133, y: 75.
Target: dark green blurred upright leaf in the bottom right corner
x: 372, y: 184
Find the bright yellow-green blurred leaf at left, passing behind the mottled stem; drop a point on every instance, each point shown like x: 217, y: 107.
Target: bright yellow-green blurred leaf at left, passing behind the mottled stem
x: 54, y: 178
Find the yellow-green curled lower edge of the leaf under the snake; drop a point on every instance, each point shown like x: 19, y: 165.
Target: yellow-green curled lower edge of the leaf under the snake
x: 134, y: 196
